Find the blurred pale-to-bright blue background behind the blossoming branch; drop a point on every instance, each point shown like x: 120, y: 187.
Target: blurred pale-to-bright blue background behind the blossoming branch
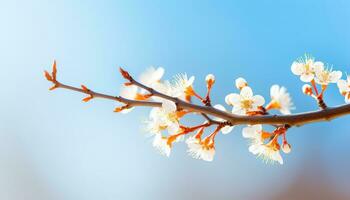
x: 53, y: 146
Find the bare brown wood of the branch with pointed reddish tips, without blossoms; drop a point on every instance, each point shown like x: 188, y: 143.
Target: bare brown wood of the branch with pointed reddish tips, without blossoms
x: 299, y: 119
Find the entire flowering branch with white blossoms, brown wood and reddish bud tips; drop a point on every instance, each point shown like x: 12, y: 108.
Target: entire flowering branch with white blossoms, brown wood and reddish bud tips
x: 173, y: 99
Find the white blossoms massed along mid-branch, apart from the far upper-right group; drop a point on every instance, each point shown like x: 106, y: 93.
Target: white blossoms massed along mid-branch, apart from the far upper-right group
x: 165, y: 126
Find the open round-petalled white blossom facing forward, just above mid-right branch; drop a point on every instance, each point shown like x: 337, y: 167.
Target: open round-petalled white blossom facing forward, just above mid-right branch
x: 245, y: 101
